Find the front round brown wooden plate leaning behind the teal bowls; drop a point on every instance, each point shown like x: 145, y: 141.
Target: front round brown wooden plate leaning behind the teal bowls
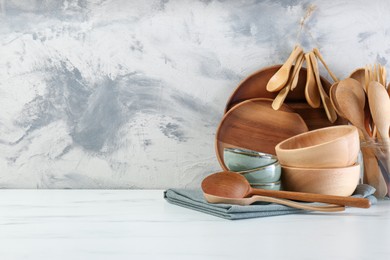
x: 254, y: 125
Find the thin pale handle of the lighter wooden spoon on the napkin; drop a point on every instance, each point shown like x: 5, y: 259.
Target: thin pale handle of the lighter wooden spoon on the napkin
x: 297, y: 205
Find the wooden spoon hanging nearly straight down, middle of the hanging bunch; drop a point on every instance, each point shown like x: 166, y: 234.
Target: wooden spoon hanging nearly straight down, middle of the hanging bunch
x: 311, y: 90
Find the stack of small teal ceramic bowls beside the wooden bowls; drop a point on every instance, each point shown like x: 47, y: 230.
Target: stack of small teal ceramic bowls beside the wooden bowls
x: 262, y: 170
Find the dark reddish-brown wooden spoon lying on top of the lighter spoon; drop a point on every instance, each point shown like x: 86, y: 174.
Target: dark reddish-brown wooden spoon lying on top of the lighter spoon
x: 235, y: 186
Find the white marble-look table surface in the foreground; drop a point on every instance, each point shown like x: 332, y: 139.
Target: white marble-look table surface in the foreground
x: 140, y: 224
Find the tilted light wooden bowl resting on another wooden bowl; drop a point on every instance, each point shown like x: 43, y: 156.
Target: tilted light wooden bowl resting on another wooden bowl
x: 335, y: 146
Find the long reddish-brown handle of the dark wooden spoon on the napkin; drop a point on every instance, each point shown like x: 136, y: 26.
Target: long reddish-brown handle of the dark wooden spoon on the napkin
x: 311, y: 197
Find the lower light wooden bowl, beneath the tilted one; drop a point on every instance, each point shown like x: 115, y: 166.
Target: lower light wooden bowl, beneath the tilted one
x: 329, y: 181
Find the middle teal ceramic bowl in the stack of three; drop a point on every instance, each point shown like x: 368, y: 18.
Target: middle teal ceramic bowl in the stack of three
x: 265, y: 174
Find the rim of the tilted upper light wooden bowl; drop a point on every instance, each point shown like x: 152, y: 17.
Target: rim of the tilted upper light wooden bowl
x: 352, y: 131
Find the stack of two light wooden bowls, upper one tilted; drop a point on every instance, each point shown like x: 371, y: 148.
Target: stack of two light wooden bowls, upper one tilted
x: 322, y: 161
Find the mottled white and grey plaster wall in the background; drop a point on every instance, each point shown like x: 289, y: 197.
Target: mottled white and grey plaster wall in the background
x: 128, y: 94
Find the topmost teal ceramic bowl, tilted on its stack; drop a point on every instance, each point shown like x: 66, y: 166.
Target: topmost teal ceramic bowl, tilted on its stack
x: 238, y: 160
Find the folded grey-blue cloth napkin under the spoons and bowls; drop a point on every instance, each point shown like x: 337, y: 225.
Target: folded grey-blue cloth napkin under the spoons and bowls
x: 194, y: 199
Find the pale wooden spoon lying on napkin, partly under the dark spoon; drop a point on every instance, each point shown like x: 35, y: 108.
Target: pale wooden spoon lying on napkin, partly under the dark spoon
x: 253, y: 199
